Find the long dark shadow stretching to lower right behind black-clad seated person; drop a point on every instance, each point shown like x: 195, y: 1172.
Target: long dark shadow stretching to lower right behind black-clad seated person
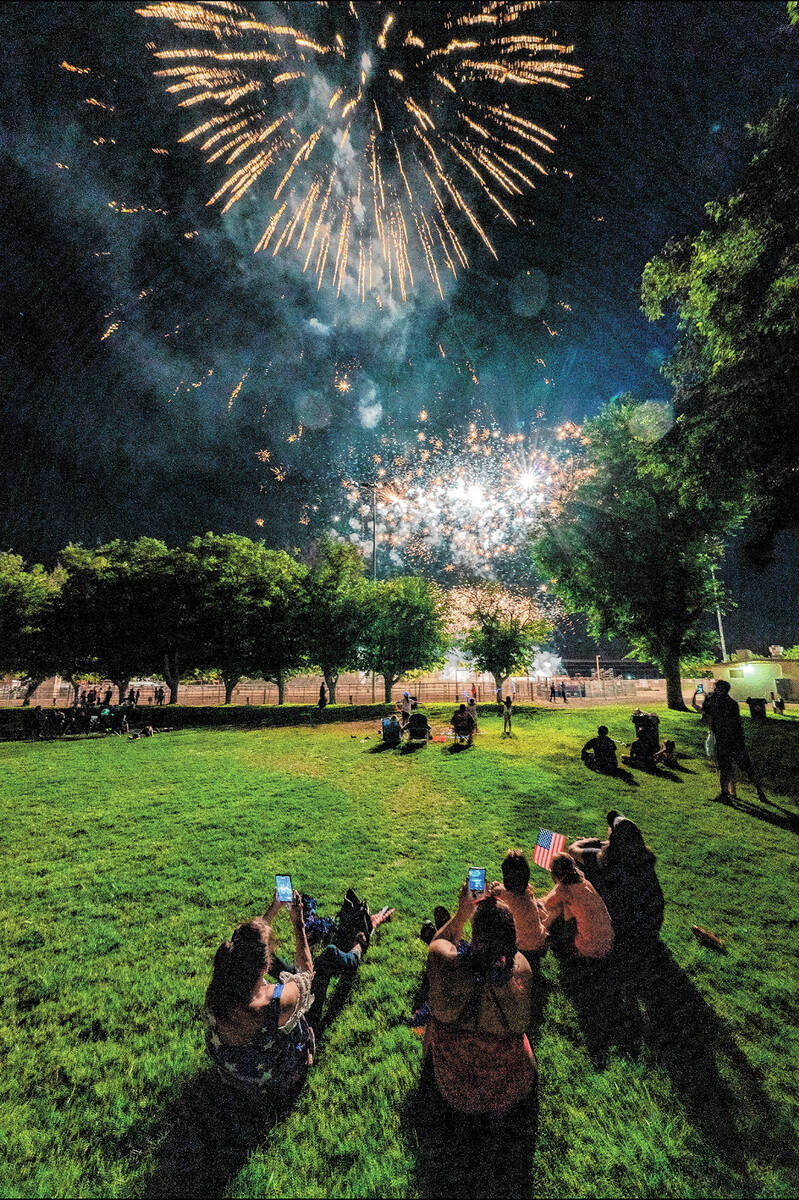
x: 656, y: 1005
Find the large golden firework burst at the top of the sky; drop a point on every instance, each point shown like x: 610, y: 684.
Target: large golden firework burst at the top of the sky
x: 380, y: 135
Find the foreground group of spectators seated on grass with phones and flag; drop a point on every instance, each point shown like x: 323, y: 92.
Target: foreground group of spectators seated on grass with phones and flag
x: 602, y: 917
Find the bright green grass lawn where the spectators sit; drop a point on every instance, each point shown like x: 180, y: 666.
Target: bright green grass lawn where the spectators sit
x: 127, y: 863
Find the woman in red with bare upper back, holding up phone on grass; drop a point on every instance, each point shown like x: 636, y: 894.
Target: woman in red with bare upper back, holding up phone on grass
x: 480, y: 1009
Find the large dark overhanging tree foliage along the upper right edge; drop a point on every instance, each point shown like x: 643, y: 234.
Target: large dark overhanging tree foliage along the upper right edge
x: 735, y: 287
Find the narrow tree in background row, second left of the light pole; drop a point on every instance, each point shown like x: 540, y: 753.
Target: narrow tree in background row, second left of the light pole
x: 283, y: 632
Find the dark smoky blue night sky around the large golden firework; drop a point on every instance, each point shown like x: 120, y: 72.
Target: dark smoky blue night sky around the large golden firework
x: 155, y: 369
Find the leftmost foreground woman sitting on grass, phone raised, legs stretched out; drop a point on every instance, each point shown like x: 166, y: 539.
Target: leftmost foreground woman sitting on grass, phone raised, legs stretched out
x: 261, y: 1035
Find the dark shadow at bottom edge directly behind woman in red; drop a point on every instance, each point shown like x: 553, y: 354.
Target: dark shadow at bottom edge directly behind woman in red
x: 464, y: 1155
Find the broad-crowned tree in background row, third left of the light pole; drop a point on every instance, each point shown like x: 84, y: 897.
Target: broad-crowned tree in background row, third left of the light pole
x: 233, y: 585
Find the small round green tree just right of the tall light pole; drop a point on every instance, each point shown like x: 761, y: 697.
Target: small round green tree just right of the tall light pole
x: 404, y: 628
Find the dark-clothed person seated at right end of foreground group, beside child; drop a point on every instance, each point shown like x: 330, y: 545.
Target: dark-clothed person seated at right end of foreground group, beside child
x: 623, y: 871
